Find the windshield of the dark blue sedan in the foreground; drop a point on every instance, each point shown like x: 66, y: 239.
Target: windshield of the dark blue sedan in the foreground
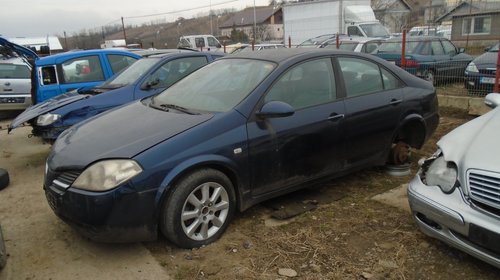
x: 217, y: 87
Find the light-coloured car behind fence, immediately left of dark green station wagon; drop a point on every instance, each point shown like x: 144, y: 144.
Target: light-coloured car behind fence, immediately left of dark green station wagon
x: 356, y: 44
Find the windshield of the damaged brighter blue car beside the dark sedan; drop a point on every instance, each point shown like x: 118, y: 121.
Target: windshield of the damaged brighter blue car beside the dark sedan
x: 130, y: 74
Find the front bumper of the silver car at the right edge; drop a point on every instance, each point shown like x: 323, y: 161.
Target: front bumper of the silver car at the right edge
x: 451, y: 219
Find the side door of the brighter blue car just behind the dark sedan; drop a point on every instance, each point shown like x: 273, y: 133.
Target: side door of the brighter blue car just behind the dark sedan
x: 168, y: 73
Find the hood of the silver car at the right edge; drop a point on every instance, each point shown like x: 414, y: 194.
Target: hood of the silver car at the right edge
x: 474, y: 144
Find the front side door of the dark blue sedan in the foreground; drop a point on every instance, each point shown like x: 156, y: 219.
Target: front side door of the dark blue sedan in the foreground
x: 287, y: 151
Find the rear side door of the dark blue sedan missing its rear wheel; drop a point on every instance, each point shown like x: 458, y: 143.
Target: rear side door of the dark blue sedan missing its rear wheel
x: 373, y: 100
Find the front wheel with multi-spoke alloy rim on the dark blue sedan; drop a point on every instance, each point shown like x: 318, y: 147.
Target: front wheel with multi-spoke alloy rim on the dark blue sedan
x: 198, y: 209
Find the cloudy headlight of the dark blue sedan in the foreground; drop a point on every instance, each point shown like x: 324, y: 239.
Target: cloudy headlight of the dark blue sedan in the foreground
x: 106, y: 175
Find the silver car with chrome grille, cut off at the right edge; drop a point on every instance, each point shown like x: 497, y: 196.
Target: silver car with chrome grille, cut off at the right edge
x: 455, y: 196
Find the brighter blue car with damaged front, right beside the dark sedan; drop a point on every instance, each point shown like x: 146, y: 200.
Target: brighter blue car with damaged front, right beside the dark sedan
x: 146, y: 77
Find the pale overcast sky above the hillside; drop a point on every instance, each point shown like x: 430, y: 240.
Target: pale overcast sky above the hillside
x: 40, y: 18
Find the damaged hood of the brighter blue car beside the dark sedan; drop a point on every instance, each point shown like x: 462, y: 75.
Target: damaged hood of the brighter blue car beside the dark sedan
x: 45, y: 107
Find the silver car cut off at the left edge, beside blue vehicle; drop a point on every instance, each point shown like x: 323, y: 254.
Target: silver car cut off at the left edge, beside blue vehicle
x: 15, y: 84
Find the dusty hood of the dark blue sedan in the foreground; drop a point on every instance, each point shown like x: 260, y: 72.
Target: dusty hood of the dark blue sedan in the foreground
x: 120, y: 133
